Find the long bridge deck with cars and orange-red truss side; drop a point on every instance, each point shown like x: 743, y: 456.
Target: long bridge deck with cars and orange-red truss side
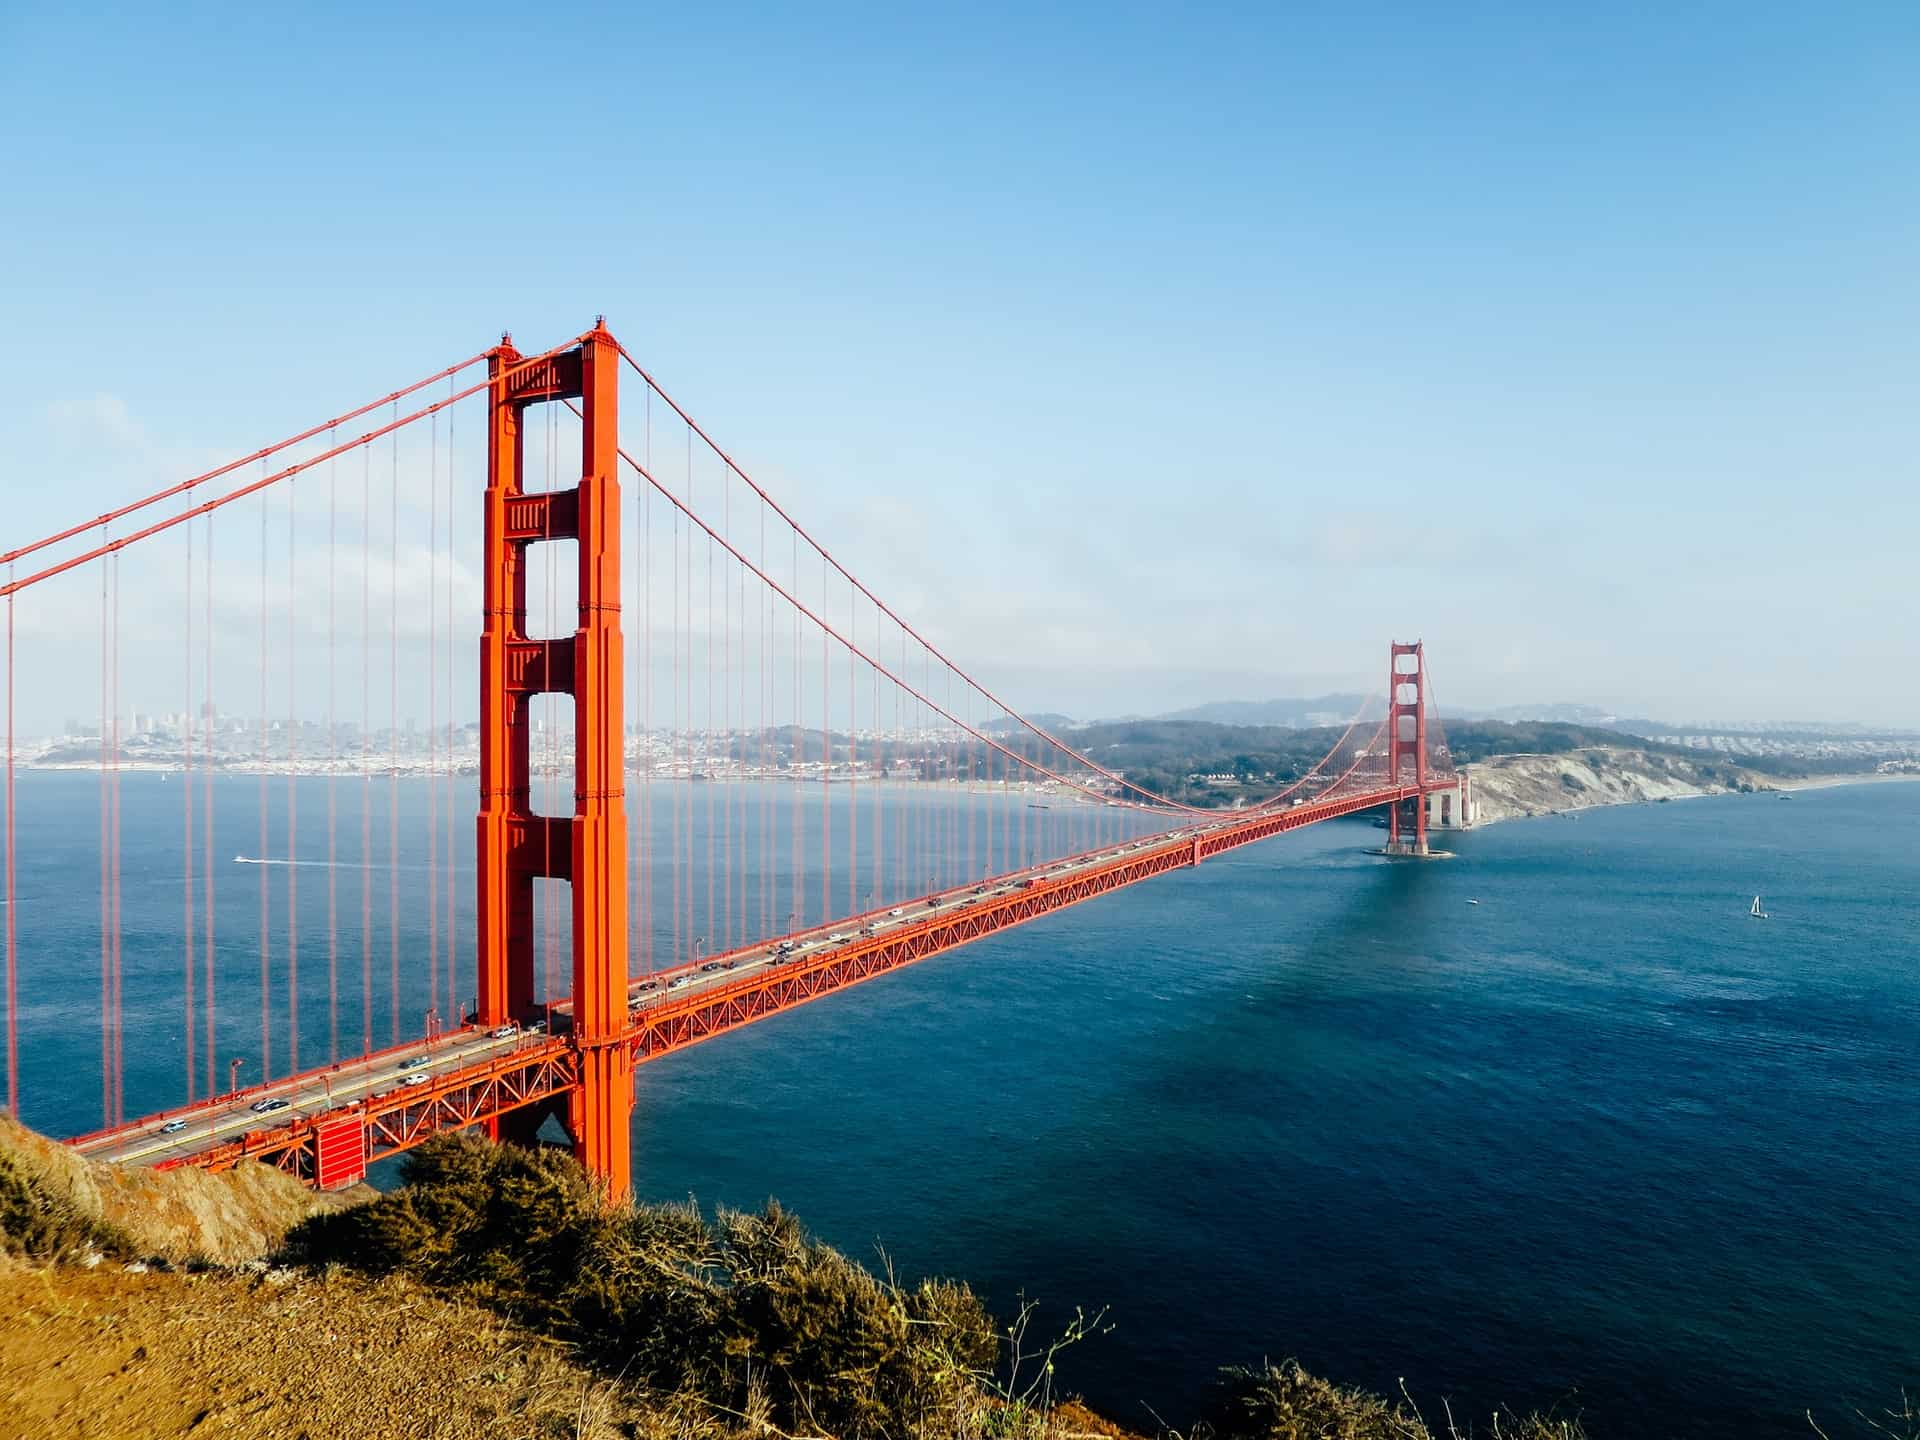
x: 460, y: 1078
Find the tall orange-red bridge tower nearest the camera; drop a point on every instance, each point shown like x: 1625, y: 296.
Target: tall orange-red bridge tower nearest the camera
x: 587, y: 848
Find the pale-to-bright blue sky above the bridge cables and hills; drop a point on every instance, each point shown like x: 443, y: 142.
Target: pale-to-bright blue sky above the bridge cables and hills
x: 1234, y: 341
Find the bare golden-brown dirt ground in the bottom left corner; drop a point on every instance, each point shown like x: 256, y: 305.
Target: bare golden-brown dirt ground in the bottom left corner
x: 112, y: 1355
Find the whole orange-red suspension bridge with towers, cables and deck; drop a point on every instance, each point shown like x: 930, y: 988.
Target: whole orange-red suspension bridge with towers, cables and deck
x: 775, y: 790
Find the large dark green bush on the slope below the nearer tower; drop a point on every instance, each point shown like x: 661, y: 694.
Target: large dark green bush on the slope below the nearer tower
x: 746, y: 1312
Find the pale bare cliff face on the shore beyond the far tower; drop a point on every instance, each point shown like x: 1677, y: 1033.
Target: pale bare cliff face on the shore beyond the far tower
x: 1510, y: 786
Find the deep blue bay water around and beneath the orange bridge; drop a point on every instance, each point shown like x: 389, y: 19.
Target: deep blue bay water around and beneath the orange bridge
x: 1598, y: 1141
